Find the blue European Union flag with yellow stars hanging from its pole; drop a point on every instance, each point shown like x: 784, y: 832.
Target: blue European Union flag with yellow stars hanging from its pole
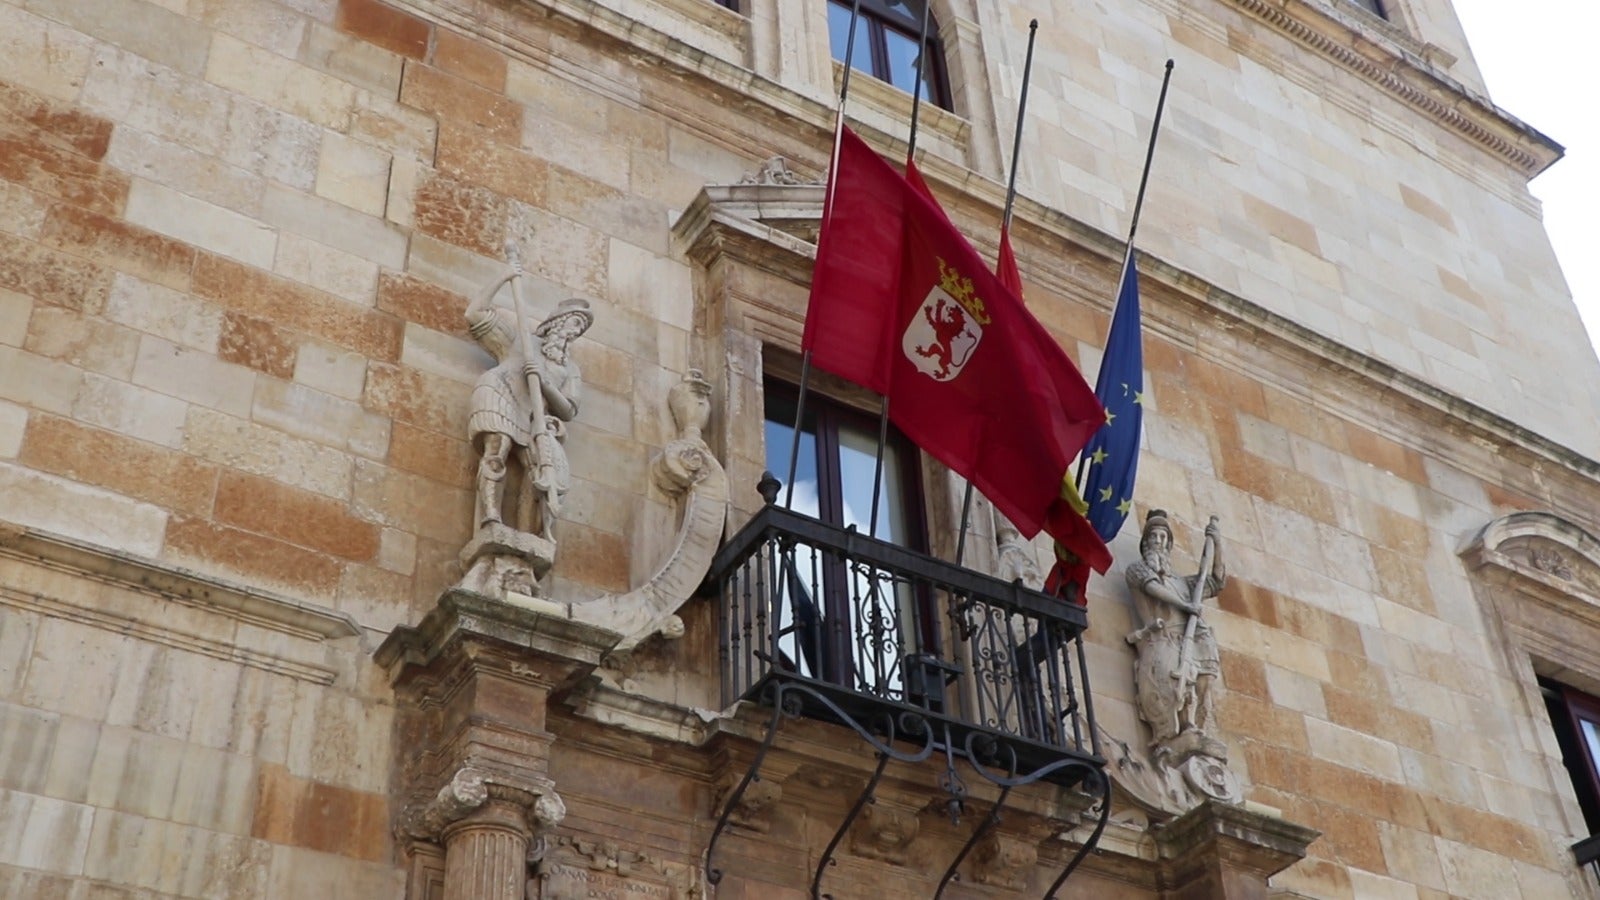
x: 1113, y: 456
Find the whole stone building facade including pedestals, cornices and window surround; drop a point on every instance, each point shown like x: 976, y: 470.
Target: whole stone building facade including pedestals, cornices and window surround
x: 238, y: 246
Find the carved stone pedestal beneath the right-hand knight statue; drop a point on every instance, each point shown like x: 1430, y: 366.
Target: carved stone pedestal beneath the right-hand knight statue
x: 1228, y: 853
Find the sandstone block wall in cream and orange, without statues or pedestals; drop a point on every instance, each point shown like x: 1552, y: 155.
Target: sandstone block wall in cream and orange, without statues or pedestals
x: 238, y: 236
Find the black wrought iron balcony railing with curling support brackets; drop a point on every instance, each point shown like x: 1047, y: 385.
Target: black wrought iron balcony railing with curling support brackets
x: 914, y: 654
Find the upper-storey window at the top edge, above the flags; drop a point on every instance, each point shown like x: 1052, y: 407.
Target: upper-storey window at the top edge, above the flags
x: 887, y: 46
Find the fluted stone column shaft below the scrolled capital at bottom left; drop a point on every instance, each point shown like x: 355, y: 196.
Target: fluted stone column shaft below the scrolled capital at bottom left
x: 487, y: 854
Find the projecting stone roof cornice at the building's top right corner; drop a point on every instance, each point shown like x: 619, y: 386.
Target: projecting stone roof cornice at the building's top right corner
x: 1380, y: 55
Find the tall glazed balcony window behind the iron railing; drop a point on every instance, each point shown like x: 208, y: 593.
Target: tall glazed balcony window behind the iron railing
x: 842, y: 635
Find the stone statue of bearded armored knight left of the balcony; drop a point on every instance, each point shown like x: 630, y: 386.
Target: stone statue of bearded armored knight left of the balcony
x: 521, y: 409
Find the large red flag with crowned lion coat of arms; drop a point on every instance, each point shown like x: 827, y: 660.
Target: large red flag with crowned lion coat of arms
x: 903, y: 305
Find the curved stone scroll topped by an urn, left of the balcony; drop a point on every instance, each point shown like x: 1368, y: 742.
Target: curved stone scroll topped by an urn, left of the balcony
x: 690, y: 475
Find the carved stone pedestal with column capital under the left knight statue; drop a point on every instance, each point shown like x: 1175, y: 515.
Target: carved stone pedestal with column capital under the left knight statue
x: 473, y: 685
